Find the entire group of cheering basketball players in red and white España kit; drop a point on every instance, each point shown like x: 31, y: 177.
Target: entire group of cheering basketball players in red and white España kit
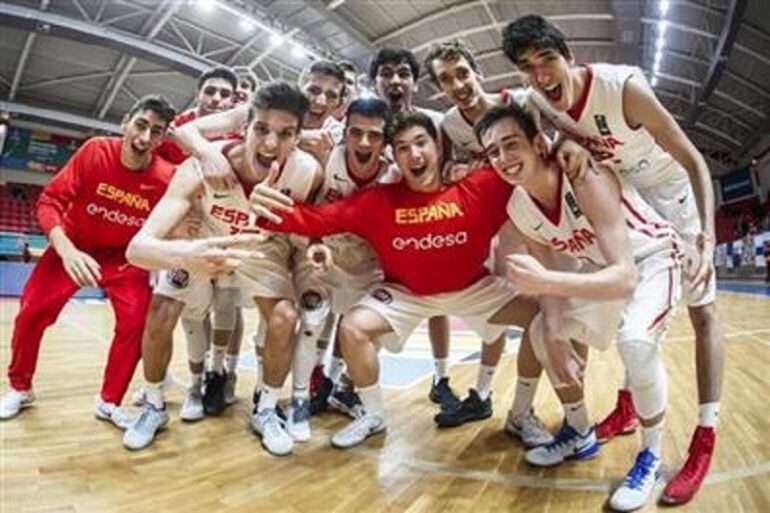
x: 575, y: 209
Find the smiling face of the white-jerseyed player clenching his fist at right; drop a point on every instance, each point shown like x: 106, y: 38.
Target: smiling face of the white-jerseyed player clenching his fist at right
x: 515, y: 158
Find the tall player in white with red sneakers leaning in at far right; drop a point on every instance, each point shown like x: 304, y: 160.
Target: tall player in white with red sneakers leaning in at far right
x: 613, y: 112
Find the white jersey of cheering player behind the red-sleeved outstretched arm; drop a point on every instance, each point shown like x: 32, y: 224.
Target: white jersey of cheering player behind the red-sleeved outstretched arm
x: 351, y: 253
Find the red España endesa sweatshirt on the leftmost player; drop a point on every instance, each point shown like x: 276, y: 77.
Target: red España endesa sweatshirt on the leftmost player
x: 98, y: 202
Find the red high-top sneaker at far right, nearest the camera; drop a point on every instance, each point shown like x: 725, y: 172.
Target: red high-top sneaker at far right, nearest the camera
x: 686, y: 483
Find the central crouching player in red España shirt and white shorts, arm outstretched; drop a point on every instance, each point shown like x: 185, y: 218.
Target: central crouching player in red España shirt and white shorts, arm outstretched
x: 432, y: 241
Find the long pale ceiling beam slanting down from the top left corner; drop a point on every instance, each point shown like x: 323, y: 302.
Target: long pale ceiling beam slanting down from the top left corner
x: 62, y: 26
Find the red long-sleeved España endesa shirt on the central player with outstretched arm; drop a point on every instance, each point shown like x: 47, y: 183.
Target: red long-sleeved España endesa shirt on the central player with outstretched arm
x: 430, y: 243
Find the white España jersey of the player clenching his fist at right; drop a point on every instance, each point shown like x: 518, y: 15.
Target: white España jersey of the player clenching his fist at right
x: 567, y: 230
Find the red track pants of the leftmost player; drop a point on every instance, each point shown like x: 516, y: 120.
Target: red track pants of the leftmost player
x: 45, y: 294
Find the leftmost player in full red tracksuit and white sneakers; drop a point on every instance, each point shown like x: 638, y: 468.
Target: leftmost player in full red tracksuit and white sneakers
x: 90, y: 210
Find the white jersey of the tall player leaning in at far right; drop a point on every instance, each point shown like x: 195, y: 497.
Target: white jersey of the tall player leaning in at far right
x: 597, y: 123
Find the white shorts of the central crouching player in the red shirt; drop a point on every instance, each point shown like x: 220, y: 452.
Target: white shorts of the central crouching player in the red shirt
x: 404, y: 311
